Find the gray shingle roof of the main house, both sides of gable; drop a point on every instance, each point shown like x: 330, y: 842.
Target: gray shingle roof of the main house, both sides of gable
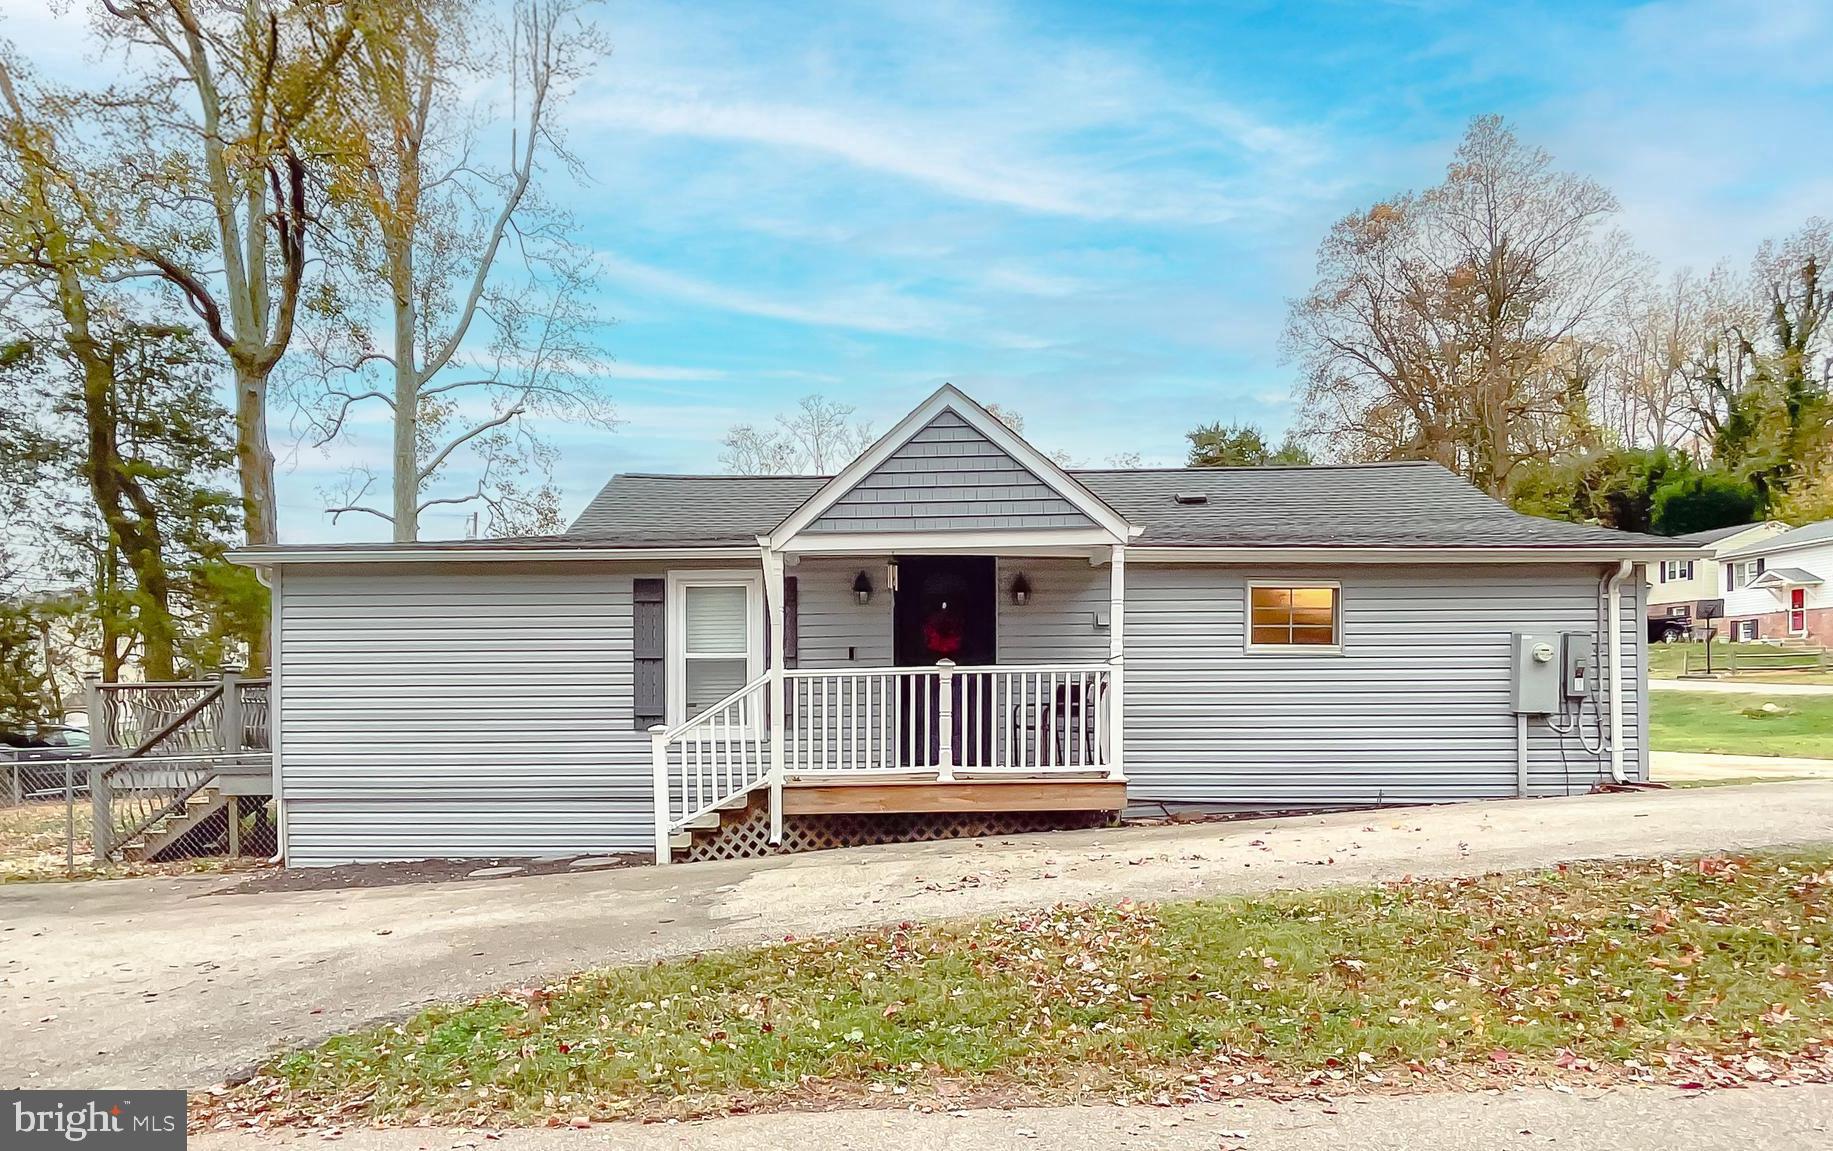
x: 1357, y: 505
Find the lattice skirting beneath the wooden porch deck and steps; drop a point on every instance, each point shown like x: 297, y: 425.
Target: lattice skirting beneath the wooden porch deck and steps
x: 747, y: 835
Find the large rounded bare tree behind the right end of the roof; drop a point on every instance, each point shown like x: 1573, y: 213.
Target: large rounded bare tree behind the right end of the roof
x: 1454, y: 325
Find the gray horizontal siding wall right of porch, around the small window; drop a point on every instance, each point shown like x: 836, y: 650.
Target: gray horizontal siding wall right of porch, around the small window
x: 1414, y: 708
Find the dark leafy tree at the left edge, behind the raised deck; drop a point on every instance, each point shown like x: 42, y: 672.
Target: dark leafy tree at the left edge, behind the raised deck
x: 148, y: 547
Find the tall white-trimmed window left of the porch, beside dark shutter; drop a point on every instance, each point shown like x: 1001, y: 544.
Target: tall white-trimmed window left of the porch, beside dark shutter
x: 716, y: 639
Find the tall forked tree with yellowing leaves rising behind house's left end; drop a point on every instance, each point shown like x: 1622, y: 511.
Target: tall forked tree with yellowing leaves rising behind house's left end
x: 204, y: 177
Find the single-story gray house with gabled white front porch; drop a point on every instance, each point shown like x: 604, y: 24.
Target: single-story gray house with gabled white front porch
x: 960, y: 637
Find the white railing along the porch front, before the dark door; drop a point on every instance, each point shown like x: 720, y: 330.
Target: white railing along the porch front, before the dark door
x: 947, y: 721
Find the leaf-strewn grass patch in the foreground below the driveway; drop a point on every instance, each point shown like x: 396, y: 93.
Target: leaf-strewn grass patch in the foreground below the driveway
x: 1715, y: 965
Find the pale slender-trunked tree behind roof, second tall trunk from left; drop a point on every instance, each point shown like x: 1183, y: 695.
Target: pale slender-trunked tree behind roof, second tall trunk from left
x: 481, y: 281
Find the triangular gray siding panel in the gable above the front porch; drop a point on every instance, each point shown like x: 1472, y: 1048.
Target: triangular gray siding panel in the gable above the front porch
x: 950, y: 477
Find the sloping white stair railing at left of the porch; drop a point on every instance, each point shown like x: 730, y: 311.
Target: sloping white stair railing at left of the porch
x: 710, y: 760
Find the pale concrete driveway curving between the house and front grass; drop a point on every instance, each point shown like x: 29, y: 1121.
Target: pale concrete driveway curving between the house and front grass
x: 171, y: 983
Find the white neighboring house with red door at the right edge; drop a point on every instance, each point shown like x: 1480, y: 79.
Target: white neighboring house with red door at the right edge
x: 1775, y: 589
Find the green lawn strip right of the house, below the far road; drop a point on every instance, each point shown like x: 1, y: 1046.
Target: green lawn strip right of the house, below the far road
x: 1737, y: 725
